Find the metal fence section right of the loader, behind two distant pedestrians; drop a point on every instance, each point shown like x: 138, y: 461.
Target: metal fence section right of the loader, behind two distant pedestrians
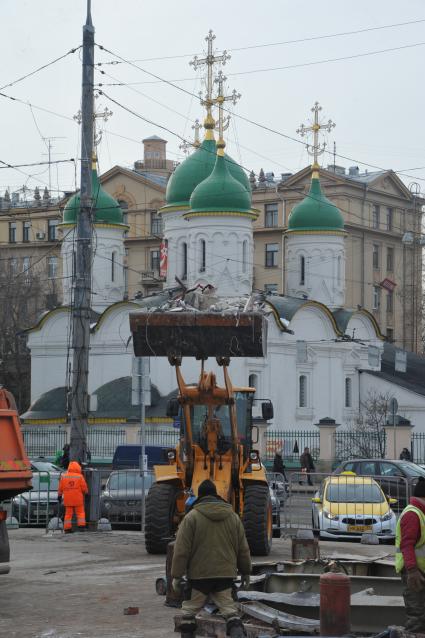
x: 292, y: 444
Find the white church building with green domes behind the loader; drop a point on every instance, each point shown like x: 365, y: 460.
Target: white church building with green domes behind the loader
x: 322, y: 358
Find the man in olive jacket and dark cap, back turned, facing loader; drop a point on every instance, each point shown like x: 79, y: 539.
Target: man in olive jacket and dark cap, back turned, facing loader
x: 210, y: 548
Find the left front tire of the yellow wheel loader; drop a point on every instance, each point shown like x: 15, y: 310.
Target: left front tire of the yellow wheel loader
x: 159, y: 525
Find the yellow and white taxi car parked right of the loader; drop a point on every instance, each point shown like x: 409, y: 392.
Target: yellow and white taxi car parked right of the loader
x: 348, y: 506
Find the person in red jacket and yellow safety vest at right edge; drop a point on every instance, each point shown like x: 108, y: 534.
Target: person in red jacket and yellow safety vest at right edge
x: 410, y: 558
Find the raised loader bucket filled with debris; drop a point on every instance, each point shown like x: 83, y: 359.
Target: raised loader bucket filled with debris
x: 198, y: 334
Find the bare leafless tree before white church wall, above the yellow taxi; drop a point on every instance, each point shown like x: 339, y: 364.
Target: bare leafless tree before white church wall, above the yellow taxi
x: 365, y: 436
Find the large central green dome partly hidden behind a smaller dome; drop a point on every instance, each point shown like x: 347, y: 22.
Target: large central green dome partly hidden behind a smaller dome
x: 194, y: 170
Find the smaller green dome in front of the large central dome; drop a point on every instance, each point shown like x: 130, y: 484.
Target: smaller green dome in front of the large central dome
x: 220, y: 192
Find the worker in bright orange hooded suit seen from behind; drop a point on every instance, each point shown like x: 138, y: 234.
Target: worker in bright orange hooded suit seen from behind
x: 73, y: 487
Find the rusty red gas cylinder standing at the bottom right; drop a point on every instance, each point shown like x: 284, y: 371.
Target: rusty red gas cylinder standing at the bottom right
x: 335, y: 593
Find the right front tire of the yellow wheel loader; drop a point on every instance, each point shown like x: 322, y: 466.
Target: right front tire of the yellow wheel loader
x: 258, y: 519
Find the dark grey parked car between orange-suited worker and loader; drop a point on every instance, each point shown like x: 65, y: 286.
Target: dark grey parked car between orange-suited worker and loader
x: 121, y: 500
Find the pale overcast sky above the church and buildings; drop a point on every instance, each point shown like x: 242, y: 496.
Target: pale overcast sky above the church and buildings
x: 377, y: 101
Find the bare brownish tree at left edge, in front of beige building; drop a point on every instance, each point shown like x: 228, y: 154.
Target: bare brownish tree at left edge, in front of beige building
x: 24, y: 295
